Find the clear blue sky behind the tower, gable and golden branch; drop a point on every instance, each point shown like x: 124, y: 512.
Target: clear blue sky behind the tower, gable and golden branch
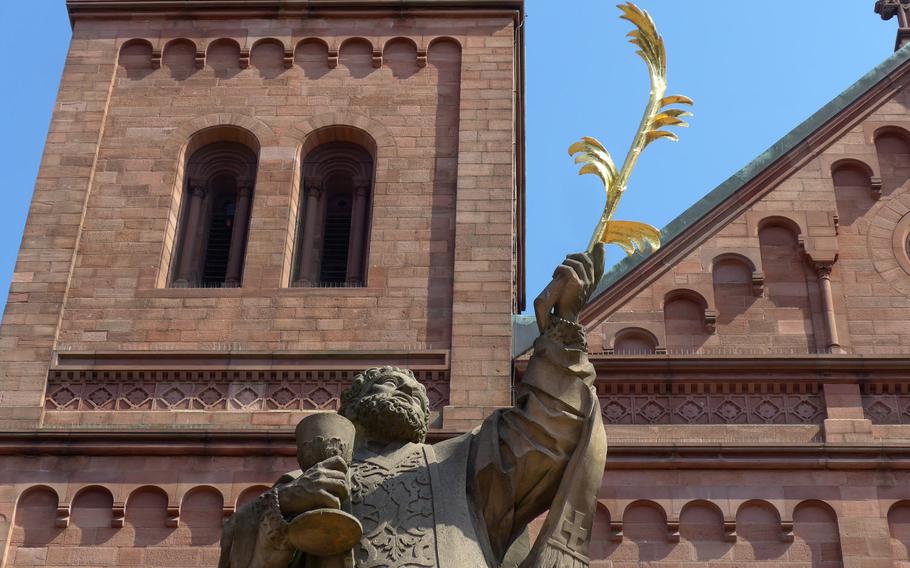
x: 755, y: 71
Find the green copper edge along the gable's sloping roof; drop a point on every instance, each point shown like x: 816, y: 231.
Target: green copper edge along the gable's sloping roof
x: 522, y: 324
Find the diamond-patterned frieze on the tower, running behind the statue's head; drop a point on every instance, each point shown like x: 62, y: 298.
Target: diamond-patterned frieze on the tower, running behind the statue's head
x: 212, y: 390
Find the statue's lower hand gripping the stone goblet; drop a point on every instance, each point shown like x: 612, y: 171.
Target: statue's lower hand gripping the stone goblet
x: 324, y: 485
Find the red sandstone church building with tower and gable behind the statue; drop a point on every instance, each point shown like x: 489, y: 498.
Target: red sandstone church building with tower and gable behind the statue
x: 241, y: 205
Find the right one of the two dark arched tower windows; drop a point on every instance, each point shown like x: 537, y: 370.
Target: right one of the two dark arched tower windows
x: 335, y: 216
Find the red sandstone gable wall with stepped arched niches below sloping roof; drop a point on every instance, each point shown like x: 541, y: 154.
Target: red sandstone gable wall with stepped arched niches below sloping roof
x: 849, y: 199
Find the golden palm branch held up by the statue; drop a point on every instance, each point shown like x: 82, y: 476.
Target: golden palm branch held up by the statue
x: 631, y: 235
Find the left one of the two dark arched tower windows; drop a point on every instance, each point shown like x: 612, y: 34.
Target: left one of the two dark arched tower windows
x: 215, y: 216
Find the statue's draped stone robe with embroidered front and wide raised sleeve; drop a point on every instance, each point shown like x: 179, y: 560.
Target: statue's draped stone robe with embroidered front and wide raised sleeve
x: 459, y: 503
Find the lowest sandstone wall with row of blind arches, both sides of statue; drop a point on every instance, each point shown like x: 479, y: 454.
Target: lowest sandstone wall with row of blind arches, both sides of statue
x: 168, y: 512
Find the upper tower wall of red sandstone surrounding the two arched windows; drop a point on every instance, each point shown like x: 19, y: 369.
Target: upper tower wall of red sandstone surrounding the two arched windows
x: 93, y: 266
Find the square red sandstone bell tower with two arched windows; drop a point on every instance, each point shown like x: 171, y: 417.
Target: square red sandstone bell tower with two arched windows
x: 241, y: 205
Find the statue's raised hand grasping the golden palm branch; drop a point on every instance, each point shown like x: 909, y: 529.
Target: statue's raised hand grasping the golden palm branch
x: 573, y: 282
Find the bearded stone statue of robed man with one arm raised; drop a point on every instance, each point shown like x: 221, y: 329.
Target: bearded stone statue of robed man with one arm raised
x: 464, y: 502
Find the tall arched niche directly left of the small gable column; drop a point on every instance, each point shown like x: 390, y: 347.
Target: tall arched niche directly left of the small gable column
x: 787, y: 278
